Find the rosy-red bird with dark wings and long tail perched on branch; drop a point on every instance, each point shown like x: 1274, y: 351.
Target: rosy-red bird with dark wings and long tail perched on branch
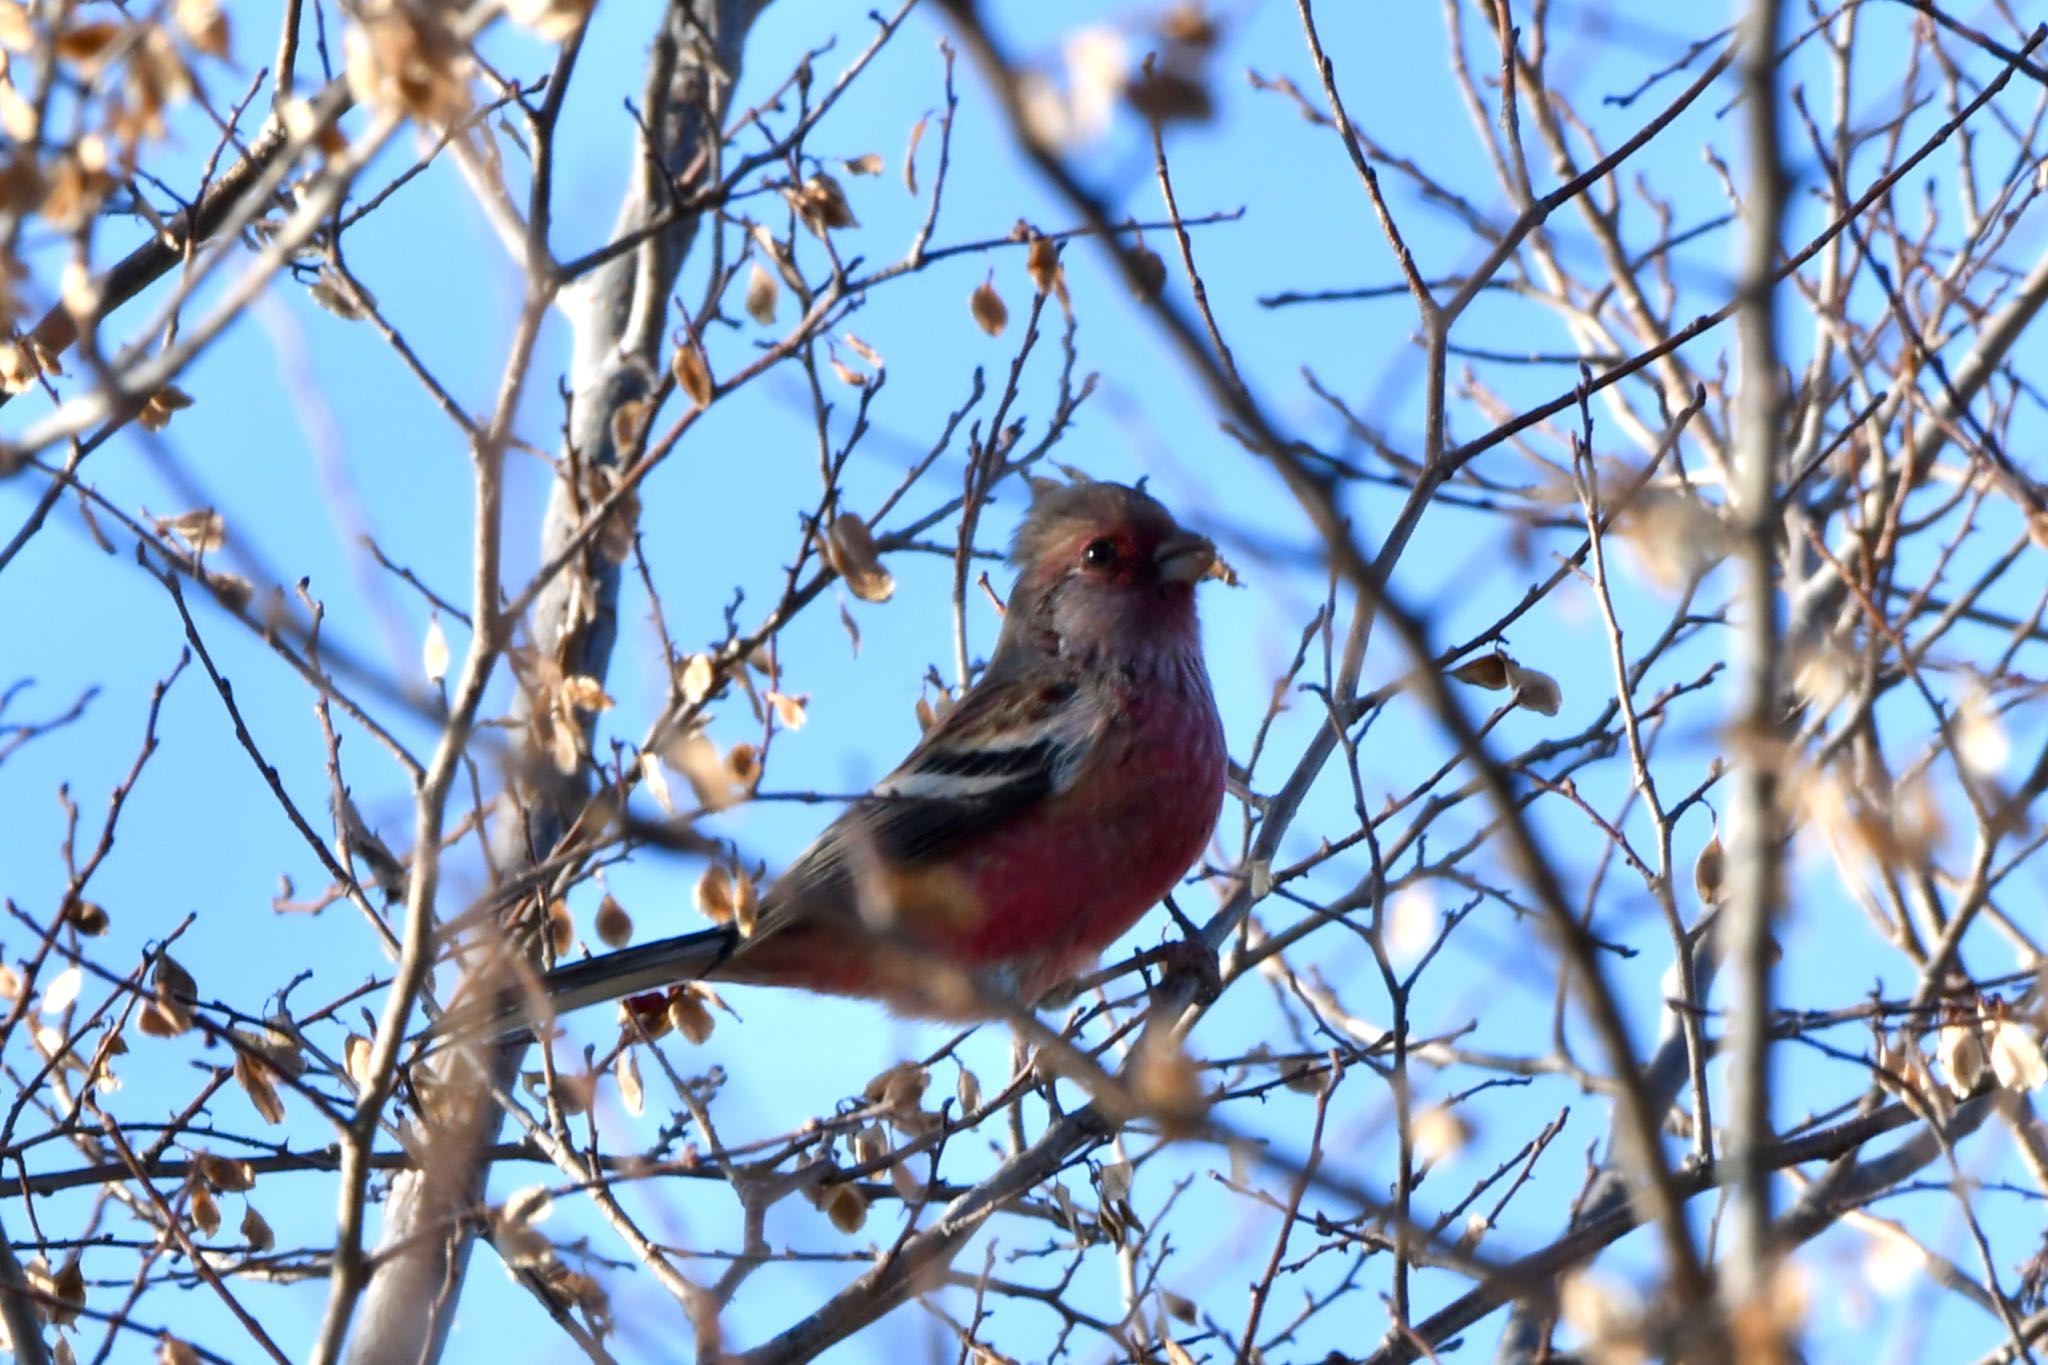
x: 1066, y: 793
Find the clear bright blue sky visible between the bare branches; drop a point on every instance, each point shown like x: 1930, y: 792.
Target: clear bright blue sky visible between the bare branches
x: 306, y: 435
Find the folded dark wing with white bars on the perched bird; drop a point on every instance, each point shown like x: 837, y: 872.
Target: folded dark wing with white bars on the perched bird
x: 1005, y: 748
